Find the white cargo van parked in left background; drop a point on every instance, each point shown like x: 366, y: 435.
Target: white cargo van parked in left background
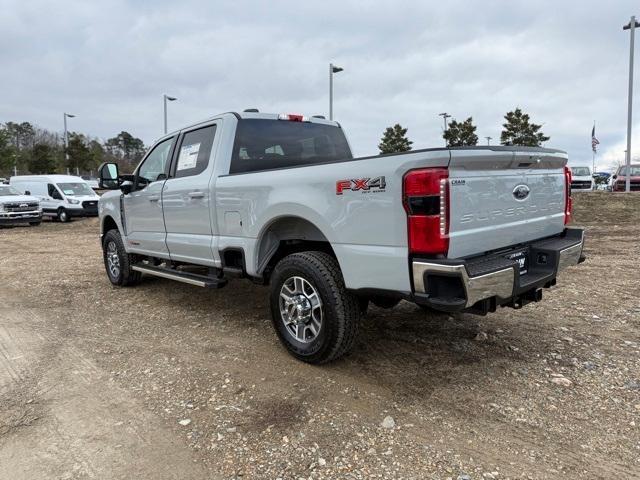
x: 61, y: 196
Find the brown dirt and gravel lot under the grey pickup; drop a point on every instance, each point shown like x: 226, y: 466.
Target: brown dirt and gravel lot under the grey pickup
x: 166, y: 380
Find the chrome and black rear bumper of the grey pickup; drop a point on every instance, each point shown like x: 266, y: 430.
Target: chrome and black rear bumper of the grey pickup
x: 482, y: 283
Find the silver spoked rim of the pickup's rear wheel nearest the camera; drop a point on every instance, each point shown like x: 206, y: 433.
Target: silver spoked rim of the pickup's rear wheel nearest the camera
x: 300, y: 309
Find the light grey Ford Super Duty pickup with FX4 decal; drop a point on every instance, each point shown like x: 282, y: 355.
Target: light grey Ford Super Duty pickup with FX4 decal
x: 280, y: 199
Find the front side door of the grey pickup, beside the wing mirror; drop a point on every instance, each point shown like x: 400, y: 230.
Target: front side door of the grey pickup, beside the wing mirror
x: 143, y: 206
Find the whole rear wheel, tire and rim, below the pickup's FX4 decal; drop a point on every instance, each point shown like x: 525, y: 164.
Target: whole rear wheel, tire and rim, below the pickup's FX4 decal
x: 314, y: 315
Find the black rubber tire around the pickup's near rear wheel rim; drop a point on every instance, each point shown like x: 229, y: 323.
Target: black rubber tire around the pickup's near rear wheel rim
x: 339, y: 308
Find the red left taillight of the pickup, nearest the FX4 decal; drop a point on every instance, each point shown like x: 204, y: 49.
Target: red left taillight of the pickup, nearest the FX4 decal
x: 426, y: 200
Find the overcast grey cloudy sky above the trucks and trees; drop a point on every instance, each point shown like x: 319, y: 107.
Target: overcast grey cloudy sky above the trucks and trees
x: 109, y: 62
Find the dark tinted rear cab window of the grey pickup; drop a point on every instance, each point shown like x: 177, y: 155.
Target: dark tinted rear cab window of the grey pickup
x: 263, y: 144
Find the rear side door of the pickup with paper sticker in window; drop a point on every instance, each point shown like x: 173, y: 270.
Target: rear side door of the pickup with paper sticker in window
x: 187, y: 197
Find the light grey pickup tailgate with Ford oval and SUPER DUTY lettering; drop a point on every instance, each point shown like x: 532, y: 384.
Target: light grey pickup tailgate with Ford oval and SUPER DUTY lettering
x: 504, y: 197
